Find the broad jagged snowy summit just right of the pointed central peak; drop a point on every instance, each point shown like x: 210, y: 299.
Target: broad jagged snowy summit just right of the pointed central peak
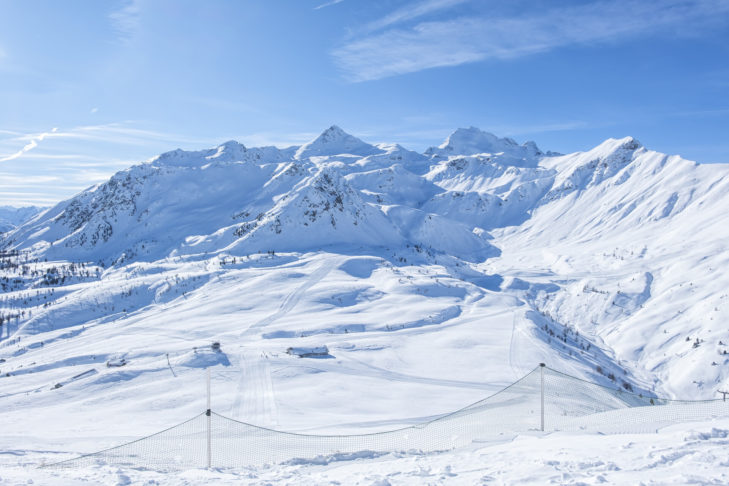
x: 471, y: 141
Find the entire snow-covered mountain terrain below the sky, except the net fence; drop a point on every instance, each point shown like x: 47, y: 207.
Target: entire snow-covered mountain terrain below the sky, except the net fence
x: 345, y: 287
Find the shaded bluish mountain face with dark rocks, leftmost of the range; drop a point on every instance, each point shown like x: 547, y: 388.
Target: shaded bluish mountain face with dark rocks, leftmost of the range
x: 149, y: 209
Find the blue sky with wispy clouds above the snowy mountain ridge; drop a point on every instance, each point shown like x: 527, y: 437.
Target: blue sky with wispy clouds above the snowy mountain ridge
x: 90, y: 87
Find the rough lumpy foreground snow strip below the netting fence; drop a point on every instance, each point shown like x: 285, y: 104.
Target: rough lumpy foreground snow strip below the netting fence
x: 694, y: 453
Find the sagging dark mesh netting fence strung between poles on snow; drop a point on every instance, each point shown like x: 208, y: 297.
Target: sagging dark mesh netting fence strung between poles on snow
x: 544, y: 400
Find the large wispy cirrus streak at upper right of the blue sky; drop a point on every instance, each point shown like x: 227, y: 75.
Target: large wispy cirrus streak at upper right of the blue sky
x: 395, y: 45
